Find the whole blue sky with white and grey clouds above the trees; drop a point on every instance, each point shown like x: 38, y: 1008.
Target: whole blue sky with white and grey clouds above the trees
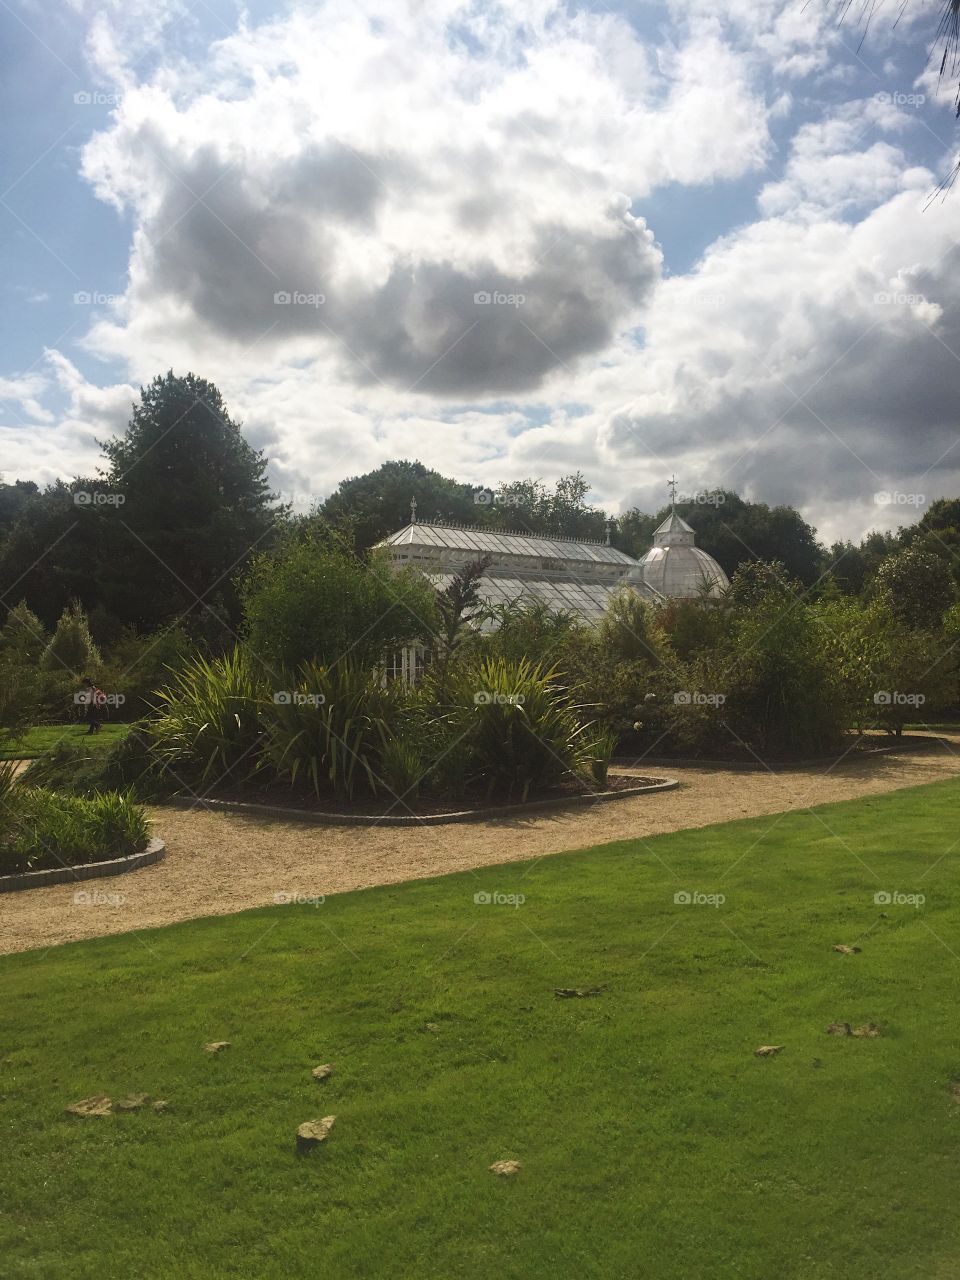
x: 698, y: 239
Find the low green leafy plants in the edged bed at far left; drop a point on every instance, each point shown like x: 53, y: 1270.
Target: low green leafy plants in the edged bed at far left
x: 43, y: 829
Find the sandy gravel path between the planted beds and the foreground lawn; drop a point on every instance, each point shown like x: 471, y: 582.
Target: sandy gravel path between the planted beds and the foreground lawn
x: 221, y: 863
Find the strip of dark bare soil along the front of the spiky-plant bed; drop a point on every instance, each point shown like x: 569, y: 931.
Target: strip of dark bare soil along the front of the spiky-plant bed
x: 339, y: 812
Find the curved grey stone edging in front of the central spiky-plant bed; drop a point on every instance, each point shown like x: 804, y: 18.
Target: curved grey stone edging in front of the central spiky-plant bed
x: 428, y: 820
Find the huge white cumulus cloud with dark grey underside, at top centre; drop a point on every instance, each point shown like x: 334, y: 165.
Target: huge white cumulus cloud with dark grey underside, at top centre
x: 377, y: 176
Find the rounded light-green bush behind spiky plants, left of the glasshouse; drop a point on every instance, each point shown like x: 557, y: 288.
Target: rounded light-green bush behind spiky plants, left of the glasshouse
x: 313, y: 601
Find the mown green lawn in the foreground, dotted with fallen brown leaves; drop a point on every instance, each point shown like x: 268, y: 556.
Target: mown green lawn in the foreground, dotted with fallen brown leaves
x: 653, y: 1142
